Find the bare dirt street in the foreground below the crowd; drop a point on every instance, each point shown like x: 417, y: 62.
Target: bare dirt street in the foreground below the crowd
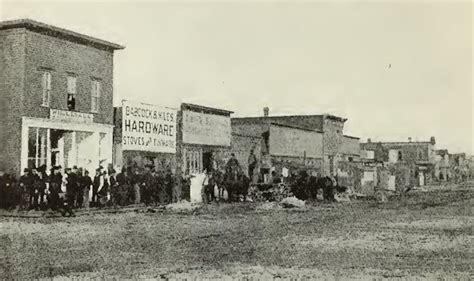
x: 423, y: 235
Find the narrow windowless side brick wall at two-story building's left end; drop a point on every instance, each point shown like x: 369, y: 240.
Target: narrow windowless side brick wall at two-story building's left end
x: 12, y: 69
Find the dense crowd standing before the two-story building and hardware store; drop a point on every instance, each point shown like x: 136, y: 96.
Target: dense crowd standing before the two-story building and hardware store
x: 37, y: 189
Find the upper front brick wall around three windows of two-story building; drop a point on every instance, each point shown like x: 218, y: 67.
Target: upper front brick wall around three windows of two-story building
x: 64, y: 57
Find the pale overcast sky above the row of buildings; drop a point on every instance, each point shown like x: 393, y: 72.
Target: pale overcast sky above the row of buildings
x: 296, y: 58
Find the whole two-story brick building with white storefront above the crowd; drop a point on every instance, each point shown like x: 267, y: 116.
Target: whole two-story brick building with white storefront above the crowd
x: 56, y: 89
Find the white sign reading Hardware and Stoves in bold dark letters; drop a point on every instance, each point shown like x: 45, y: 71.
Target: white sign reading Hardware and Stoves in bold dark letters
x: 148, y: 127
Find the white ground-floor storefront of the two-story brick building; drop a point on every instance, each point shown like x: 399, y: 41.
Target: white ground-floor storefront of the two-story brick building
x: 66, y: 139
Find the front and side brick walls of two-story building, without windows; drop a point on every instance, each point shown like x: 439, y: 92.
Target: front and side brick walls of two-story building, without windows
x: 23, y: 57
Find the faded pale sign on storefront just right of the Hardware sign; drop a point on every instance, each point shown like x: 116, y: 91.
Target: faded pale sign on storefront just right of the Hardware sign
x: 206, y: 129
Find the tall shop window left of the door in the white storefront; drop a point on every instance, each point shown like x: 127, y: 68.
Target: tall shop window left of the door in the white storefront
x: 37, y: 146
